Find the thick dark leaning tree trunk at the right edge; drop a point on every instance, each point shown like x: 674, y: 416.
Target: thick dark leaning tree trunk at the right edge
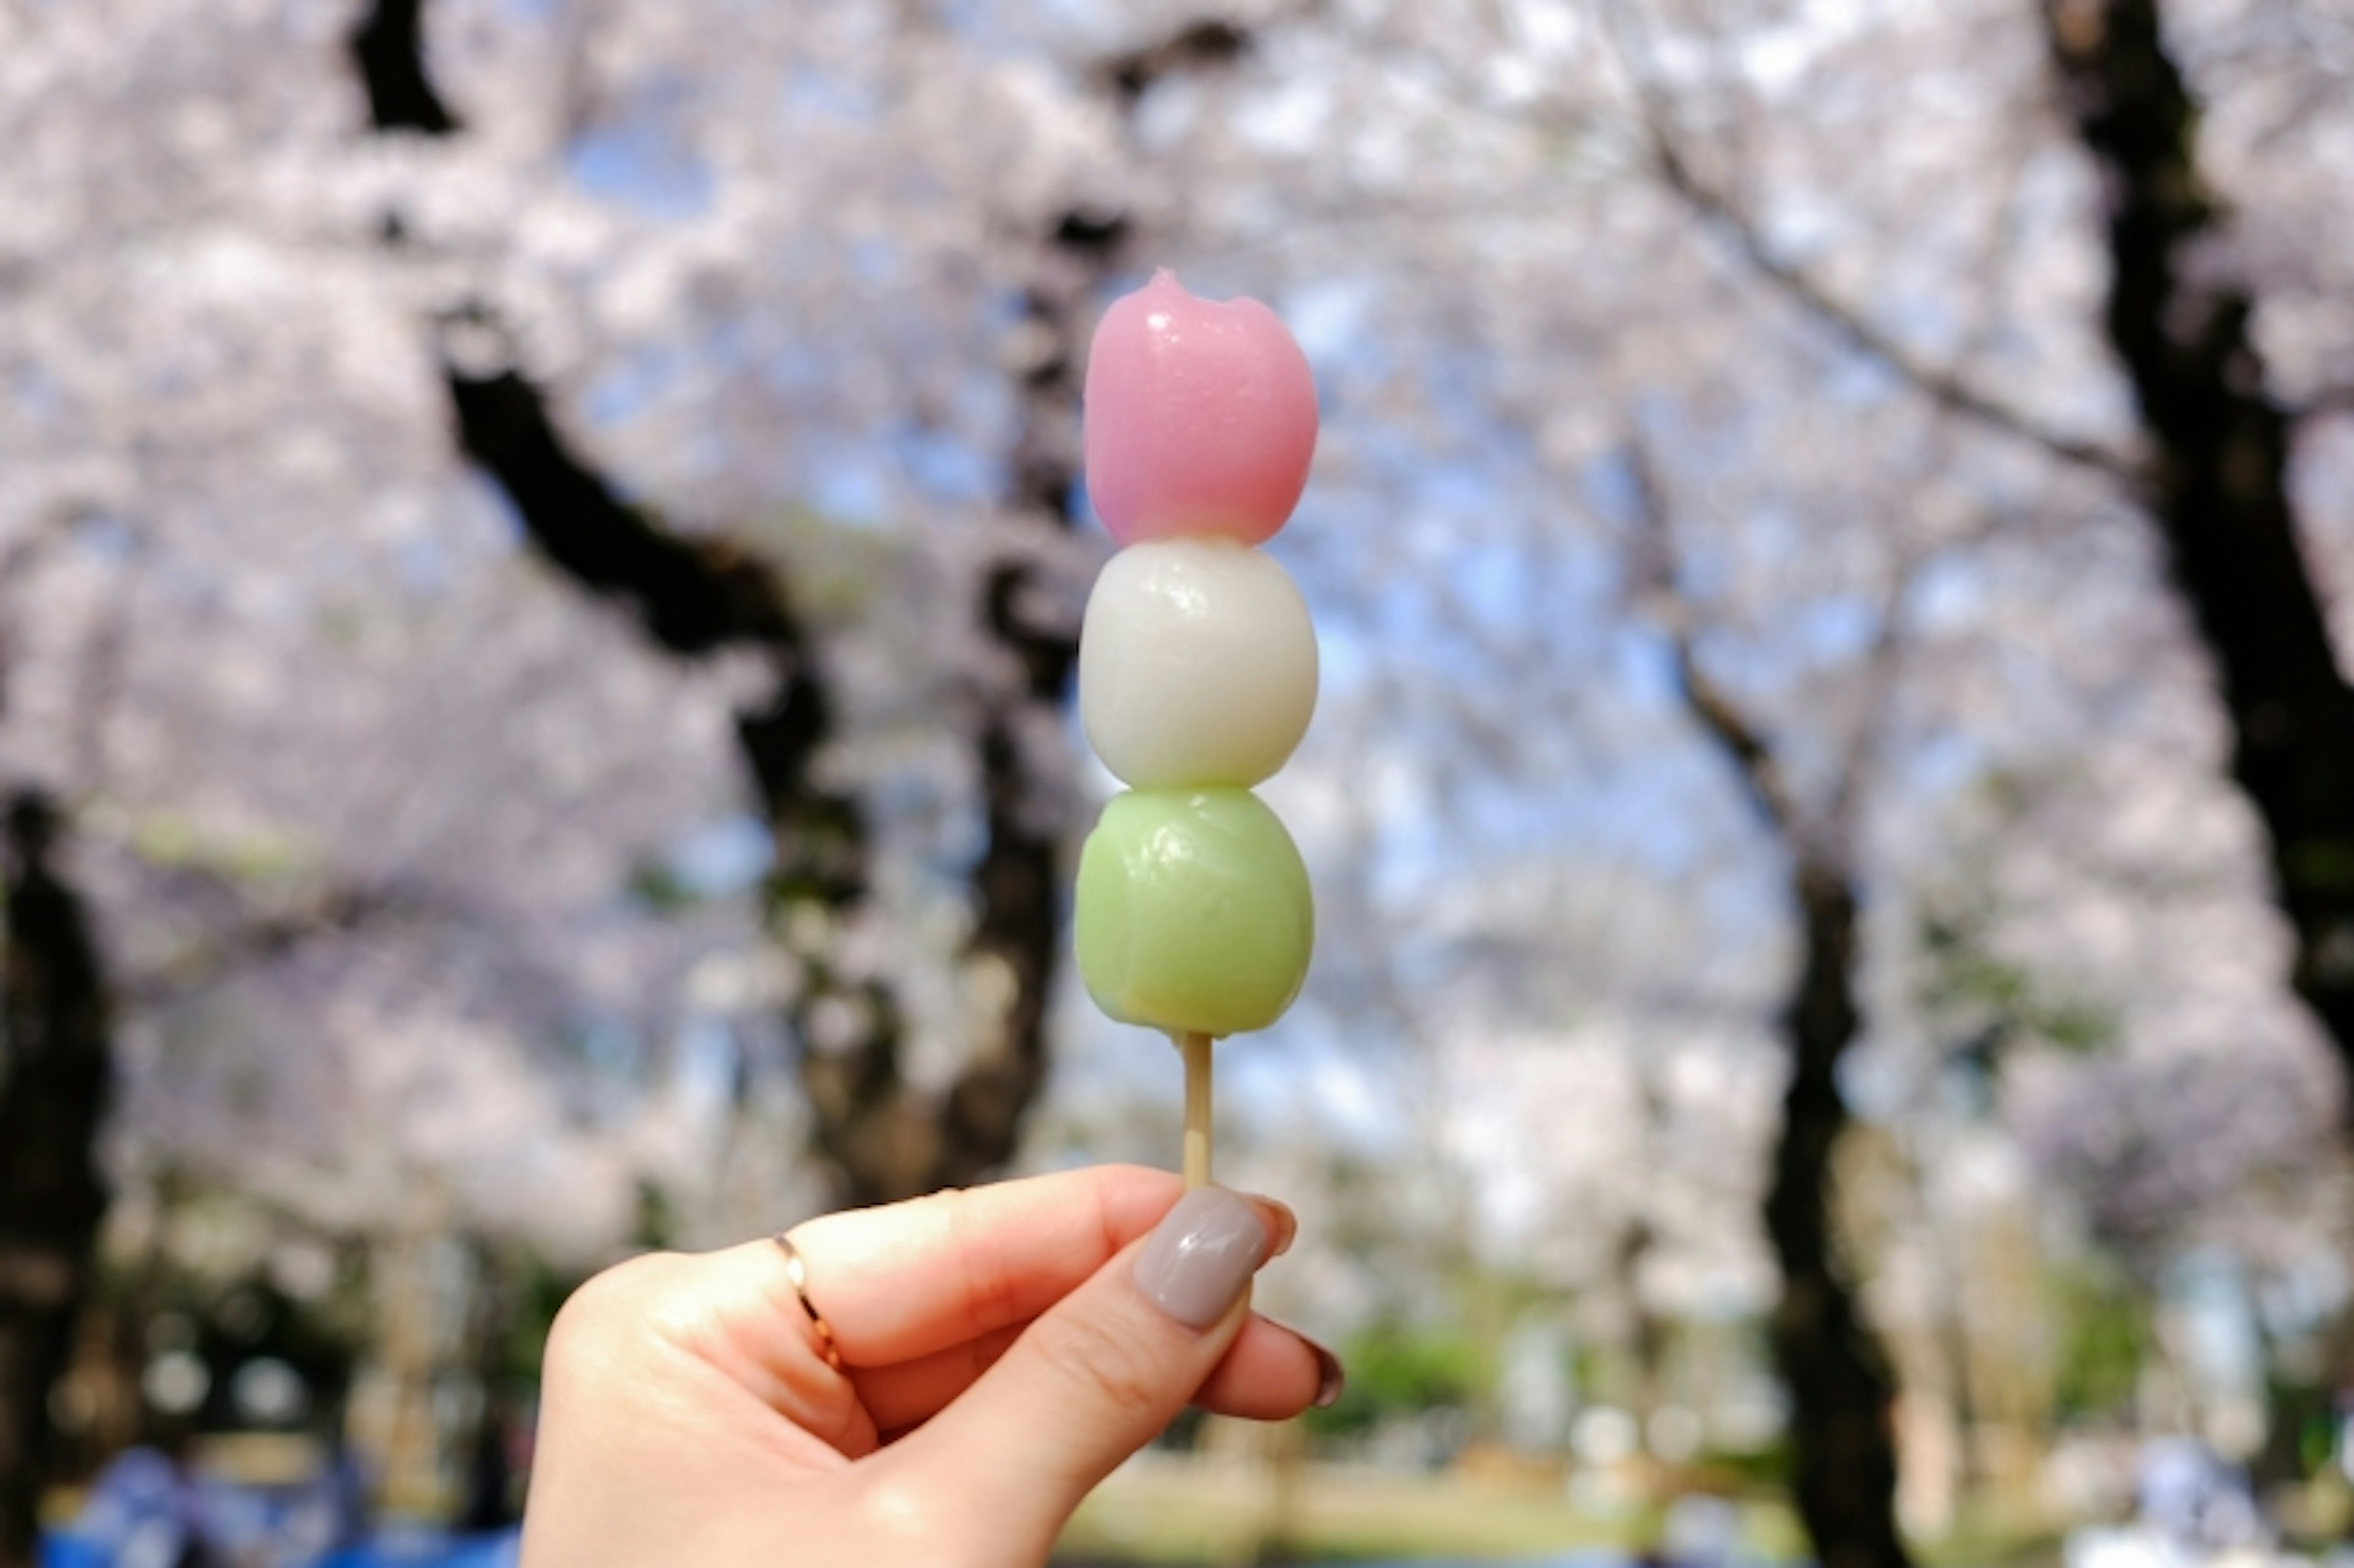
x: 2219, y: 484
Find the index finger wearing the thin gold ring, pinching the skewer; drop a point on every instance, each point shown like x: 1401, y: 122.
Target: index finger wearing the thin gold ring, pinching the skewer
x: 919, y: 1277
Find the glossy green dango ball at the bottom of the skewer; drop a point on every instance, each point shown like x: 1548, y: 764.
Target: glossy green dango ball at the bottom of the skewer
x: 1195, y: 912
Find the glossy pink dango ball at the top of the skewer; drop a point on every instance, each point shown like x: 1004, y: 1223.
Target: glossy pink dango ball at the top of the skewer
x: 1202, y: 418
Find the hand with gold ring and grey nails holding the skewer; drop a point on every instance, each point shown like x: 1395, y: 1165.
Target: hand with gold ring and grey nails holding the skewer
x: 1002, y: 1353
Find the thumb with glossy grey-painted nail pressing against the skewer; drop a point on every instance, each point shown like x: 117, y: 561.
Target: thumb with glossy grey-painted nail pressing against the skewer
x: 1098, y: 1376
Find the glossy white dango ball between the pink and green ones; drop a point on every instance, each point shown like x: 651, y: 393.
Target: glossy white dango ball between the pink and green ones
x: 1197, y: 665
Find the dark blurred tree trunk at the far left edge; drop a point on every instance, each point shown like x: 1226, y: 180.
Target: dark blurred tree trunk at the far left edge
x: 55, y: 1075
